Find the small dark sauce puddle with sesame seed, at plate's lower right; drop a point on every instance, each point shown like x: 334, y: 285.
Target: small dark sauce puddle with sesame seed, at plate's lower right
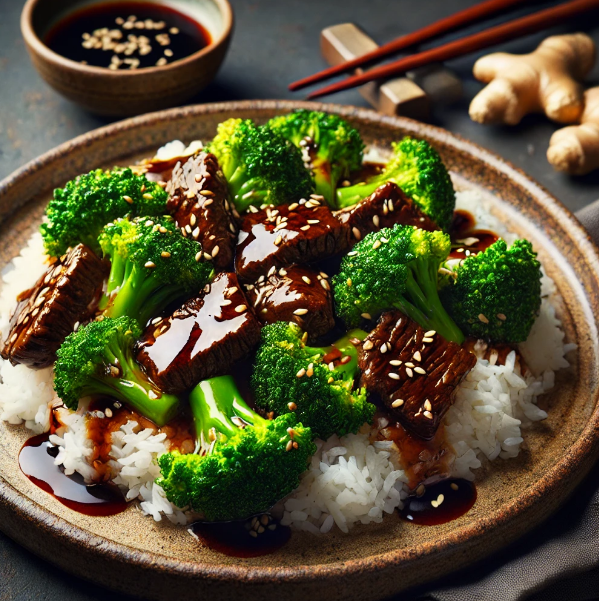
x: 440, y: 502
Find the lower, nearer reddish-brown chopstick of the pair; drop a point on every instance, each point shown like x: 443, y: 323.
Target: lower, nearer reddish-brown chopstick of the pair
x: 501, y: 33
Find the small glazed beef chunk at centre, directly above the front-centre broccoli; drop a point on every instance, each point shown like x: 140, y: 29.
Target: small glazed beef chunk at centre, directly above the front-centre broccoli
x: 294, y: 294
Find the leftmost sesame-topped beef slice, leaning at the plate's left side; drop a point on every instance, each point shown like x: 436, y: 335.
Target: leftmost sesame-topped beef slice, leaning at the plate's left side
x: 66, y: 294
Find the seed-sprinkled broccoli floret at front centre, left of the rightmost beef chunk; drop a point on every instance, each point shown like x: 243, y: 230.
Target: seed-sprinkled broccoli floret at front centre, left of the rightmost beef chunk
x: 290, y: 377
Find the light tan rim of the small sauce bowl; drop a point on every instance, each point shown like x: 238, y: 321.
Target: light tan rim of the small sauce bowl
x: 37, y: 46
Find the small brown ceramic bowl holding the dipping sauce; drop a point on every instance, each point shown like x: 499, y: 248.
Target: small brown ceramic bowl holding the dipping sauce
x: 127, y: 92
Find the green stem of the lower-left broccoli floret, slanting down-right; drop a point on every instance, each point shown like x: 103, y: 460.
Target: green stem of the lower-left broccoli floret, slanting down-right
x: 134, y: 389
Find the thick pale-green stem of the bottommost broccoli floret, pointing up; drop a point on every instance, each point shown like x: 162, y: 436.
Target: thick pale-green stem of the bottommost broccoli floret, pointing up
x: 214, y: 402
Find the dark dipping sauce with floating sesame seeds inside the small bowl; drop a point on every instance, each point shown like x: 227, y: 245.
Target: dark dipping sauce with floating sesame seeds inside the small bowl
x: 127, y: 35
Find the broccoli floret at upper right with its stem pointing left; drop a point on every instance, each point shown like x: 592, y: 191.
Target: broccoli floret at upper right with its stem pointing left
x: 418, y: 170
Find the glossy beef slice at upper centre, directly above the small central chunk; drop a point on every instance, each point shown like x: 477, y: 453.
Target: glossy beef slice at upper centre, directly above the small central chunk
x: 287, y: 234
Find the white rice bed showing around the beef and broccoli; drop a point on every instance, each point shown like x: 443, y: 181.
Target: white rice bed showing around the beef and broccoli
x: 350, y: 480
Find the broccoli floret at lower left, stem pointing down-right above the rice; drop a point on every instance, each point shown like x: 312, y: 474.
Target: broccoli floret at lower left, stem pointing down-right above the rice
x: 98, y: 359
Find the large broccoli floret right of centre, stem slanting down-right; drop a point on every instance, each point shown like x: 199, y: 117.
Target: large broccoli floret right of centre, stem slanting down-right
x: 396, y: 268
